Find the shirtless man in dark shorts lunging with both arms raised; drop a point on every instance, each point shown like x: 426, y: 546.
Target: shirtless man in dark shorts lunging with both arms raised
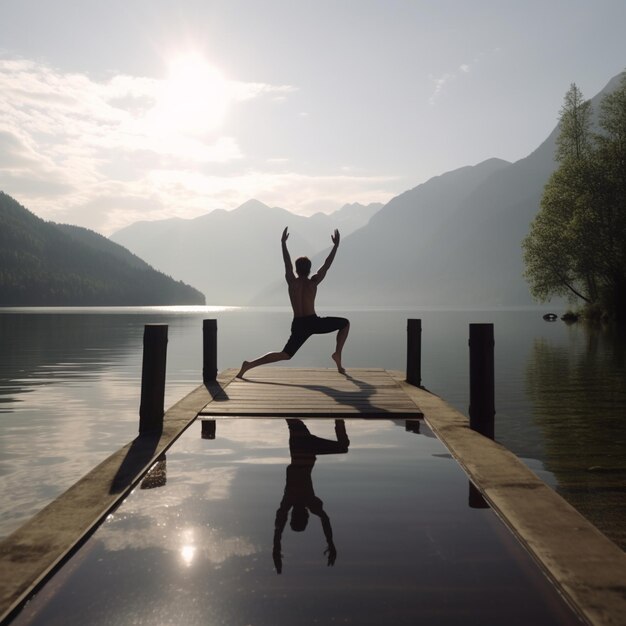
x: 302, y: 292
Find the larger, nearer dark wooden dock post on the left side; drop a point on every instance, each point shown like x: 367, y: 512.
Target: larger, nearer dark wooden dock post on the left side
x: 151, y: 409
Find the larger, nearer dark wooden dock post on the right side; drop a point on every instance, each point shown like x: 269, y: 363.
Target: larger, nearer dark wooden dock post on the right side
x: 482, y: 405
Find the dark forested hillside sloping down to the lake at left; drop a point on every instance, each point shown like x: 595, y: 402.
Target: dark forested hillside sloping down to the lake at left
x: 47, y: 264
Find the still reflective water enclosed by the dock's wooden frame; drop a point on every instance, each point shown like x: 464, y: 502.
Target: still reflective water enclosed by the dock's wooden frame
x: 351, y: 522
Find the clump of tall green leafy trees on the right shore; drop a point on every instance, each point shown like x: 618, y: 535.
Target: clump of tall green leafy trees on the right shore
x: 576, y: 246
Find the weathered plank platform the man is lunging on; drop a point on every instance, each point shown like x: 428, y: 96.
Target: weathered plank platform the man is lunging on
x: 298, y: 392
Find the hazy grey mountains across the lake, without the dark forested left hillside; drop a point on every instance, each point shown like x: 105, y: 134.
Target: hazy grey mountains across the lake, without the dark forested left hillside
x: 453, y: 241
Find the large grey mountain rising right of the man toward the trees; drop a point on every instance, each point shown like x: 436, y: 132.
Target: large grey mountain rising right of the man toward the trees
x: 455, y: 240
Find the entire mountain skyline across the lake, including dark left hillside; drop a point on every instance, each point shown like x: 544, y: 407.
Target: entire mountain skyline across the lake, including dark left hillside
x: 454, y: 240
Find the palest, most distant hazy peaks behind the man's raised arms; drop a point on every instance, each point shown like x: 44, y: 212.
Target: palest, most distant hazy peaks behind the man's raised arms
x: 232, y: 255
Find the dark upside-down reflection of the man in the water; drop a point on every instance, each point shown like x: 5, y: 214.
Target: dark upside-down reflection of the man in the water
x: 299, y: 494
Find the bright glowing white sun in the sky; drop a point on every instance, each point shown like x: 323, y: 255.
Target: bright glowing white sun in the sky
x: 194, y: 98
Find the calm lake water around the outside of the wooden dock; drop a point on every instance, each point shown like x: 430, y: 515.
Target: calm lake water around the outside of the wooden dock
x: 69, y: 388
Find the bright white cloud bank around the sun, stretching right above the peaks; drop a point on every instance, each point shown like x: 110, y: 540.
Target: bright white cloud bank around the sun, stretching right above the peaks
x: 97, y: 153
